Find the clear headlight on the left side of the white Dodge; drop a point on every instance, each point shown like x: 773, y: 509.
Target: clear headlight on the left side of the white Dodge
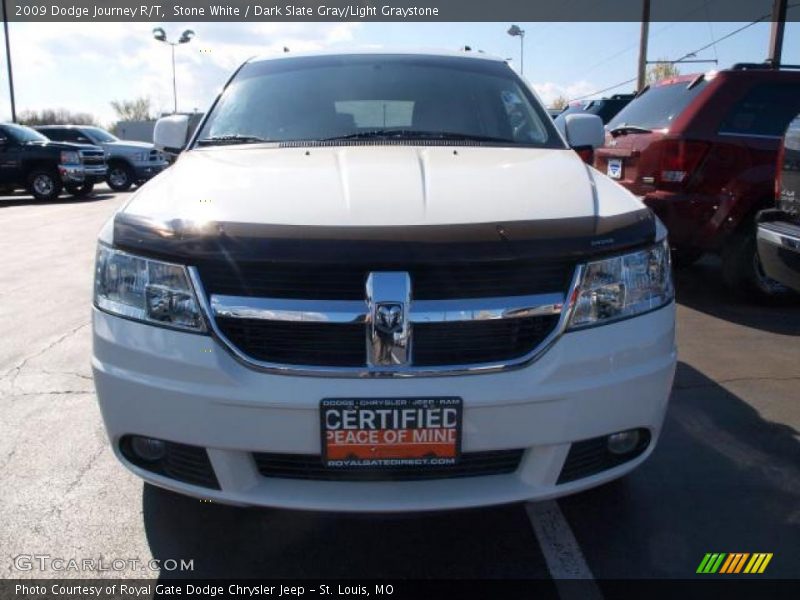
x: 144, y: 289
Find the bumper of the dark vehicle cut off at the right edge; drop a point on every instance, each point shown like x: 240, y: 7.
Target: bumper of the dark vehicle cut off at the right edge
x: 779, y: 247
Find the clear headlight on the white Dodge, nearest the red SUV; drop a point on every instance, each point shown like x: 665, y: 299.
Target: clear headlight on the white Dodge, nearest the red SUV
x: 623, y: 286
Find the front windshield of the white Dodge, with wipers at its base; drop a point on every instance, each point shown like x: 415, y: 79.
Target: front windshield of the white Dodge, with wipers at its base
x: 390, y: 97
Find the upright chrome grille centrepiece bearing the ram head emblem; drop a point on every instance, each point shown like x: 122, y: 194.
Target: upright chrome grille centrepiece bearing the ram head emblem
x: 388, y: 327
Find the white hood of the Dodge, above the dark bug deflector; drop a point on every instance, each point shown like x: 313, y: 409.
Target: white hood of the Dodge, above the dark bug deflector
x: 367, y: 186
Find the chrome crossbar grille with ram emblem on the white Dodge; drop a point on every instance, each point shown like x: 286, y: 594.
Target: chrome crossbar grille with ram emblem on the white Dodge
x: 388, y: 331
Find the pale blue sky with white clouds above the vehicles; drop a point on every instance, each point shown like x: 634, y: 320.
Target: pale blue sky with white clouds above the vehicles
x: 84, y: 66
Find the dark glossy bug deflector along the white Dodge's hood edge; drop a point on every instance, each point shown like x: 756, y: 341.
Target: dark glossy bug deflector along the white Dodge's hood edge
x: 573, y: 238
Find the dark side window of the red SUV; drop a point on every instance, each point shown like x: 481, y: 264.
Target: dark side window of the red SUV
x: 766, y: 109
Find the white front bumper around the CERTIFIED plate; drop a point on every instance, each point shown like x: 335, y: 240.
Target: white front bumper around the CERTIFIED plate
x: 186, y: 388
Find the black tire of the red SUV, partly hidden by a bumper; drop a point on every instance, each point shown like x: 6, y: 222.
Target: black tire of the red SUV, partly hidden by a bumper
x: 742, y: 270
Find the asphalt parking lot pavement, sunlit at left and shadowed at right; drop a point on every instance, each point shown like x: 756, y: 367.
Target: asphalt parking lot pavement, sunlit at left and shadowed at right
x: 724, y: 478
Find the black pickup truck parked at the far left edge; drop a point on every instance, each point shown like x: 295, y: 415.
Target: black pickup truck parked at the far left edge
x: 31, y: 161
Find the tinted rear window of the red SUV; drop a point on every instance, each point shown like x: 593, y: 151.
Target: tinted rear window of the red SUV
x: 658, y: 106
